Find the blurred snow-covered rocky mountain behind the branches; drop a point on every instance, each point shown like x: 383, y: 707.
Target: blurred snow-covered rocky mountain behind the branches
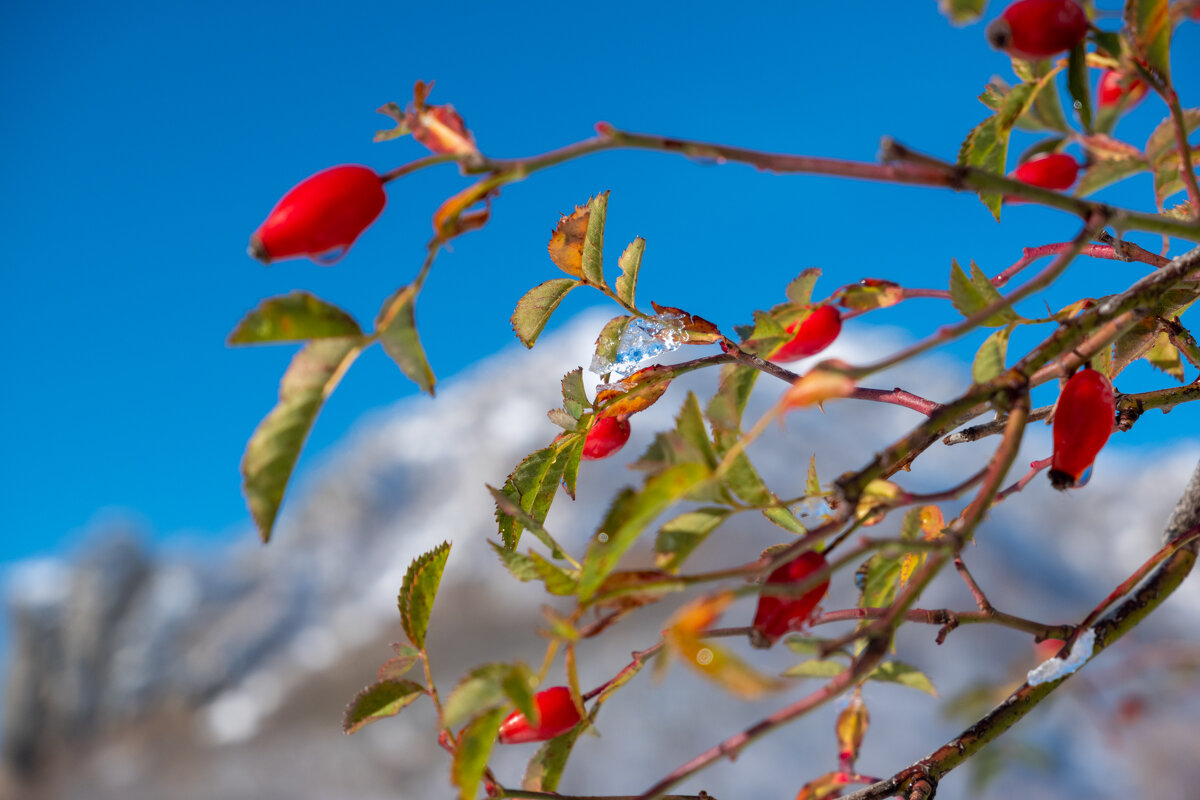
x: 159, y: 675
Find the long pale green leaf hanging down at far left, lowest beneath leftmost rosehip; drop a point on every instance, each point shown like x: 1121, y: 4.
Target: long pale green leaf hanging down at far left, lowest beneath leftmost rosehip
x: 275, y: 447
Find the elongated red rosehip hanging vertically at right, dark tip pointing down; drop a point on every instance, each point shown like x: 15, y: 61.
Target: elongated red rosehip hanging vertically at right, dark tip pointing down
x: 1083, y: 422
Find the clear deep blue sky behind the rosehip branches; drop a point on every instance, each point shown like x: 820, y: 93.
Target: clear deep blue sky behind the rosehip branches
x: 143, y: 142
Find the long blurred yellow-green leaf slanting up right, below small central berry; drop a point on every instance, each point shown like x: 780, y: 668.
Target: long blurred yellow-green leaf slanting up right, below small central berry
x: 628, y: 518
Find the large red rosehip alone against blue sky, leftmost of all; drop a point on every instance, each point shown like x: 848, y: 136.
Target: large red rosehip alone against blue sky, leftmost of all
x: 321, y: 216
